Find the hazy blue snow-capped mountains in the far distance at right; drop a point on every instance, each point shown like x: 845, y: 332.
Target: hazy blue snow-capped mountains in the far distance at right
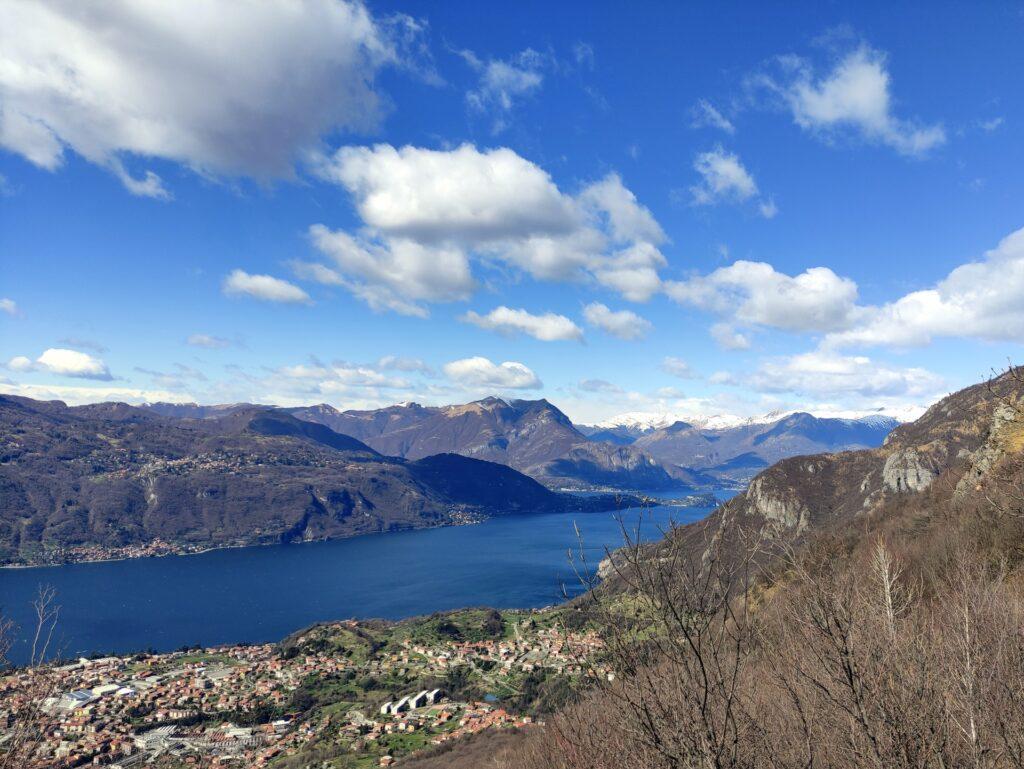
x: 739, y: 453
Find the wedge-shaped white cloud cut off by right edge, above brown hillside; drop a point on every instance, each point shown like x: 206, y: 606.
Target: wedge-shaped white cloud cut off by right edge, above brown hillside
x: 980, y: 301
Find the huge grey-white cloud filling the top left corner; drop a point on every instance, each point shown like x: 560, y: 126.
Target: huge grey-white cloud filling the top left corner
x: 231, y: 89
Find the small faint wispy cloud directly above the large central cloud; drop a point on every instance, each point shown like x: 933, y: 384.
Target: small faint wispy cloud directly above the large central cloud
x: 502, y: 83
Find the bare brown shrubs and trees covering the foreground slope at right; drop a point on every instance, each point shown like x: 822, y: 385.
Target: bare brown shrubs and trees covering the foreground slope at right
x: 895, y: 639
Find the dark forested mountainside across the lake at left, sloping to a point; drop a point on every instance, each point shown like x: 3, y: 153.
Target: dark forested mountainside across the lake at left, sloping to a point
x: 113, y: 475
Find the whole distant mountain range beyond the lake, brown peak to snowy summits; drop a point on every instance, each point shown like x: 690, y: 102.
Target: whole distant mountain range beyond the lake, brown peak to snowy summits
x: 636, y: 451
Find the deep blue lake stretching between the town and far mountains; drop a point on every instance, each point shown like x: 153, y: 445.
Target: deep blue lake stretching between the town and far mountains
x: 263, y: 594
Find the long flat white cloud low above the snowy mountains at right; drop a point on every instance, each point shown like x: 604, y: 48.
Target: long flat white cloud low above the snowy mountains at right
x: 822, y: 373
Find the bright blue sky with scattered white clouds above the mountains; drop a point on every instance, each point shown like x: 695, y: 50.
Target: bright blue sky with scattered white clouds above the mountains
x: 689, y: 208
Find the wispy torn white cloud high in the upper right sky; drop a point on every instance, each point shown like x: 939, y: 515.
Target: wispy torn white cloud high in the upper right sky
x: 856, y: 96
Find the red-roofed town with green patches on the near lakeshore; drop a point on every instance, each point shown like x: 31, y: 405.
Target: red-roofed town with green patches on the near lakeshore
x: 367, y: 693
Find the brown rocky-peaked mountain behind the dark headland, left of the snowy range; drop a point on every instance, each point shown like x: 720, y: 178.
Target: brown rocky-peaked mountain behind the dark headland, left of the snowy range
x: 533, y: 437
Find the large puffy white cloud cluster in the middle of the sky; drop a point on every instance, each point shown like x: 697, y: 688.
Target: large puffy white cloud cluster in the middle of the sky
x: 429, y: 215
